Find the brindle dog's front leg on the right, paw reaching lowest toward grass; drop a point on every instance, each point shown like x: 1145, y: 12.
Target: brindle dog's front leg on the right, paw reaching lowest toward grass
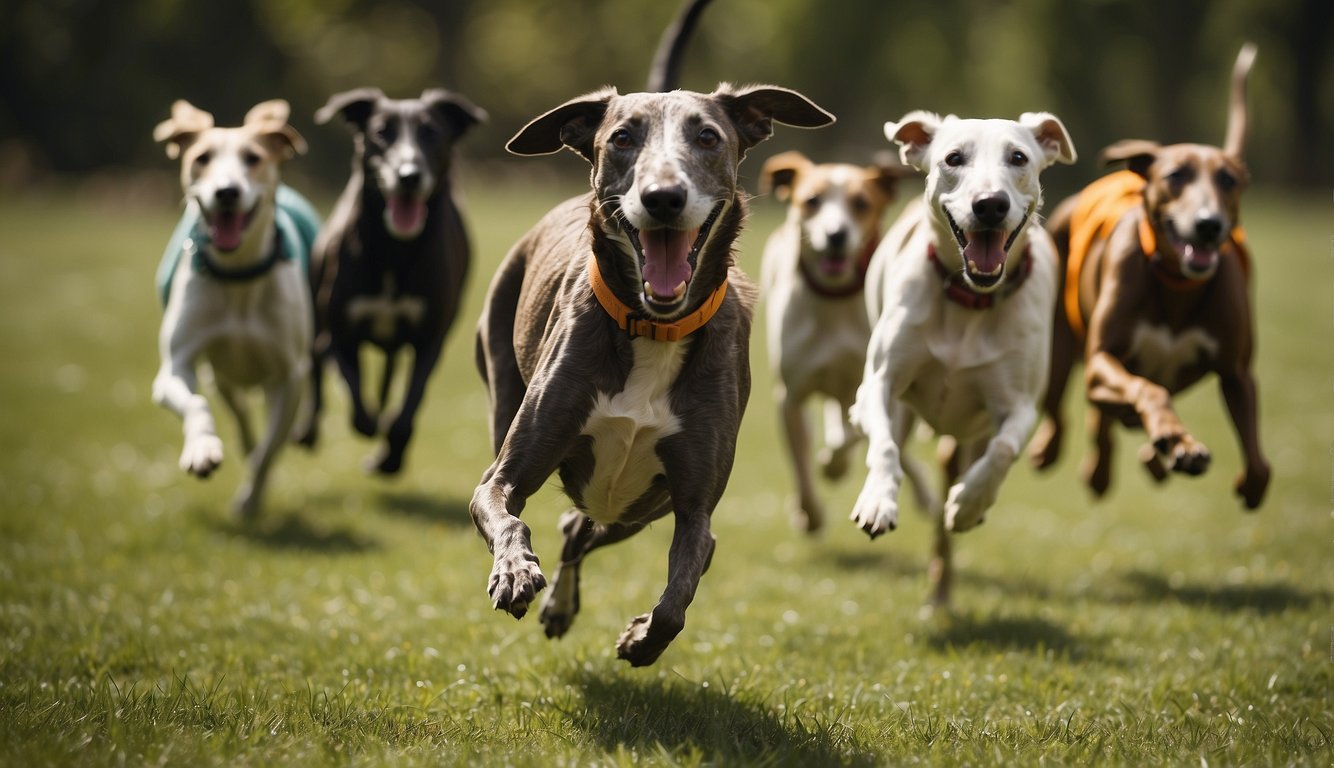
x: 692, y: 551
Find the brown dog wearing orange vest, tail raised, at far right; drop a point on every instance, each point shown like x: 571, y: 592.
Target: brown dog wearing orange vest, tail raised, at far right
x: 1157, y: 290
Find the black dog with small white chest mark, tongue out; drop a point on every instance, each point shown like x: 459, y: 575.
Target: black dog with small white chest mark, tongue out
x: 390, y: 265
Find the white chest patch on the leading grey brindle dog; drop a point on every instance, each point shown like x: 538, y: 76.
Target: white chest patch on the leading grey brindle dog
x: 626, y: 429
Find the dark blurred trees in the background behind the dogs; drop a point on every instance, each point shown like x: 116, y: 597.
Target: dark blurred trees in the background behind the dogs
x: 83, y: 82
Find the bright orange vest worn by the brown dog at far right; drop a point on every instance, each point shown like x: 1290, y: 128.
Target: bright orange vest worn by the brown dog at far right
x: 1100, y: 209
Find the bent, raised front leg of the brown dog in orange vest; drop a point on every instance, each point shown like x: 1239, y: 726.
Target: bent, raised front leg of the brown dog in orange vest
x: 1111, y: 385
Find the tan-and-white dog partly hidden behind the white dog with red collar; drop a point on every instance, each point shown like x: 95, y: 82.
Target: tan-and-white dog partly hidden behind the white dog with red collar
x: 814, y: 275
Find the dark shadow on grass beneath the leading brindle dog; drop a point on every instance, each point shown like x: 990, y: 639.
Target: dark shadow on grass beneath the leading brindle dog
x: 652, y: 715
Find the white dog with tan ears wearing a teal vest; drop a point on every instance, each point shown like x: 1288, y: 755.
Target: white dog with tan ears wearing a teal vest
x: 234, y: 286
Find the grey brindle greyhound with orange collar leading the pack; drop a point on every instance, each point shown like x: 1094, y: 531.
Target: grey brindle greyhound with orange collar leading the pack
x: 614, y: 343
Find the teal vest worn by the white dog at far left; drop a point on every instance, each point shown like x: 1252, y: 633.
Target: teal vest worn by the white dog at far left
x: 298, y: 223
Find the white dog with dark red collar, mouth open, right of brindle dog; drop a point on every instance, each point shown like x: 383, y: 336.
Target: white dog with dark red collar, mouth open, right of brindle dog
x: 962, y: 295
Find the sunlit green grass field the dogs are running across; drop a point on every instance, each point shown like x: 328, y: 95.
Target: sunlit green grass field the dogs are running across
x: 141, y: 625
